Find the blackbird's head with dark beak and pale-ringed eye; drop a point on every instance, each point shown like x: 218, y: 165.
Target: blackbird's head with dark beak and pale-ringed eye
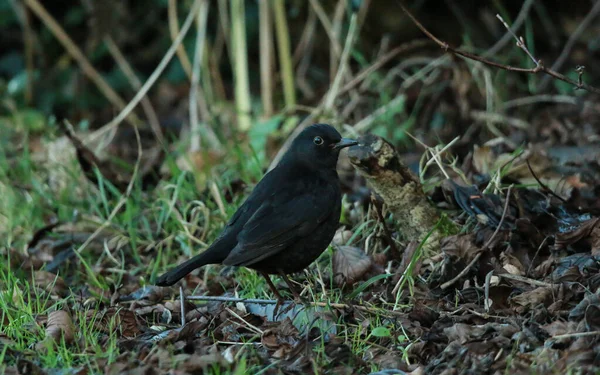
x: 318, y: 146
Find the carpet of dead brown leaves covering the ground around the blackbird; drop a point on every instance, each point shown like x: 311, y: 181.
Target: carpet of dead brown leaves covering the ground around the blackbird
x: 524, y: 275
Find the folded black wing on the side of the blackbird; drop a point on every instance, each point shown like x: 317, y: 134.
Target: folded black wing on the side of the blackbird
x: 280, y: 221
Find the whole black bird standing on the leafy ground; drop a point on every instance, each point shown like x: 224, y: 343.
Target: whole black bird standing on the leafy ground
x: 290, y: 217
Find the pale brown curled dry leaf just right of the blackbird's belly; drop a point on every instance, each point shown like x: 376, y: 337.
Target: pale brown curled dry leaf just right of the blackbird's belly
x: 349, y: 264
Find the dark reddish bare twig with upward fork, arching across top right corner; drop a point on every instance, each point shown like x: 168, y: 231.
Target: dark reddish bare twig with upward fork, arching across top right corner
x: 539, y: 65
